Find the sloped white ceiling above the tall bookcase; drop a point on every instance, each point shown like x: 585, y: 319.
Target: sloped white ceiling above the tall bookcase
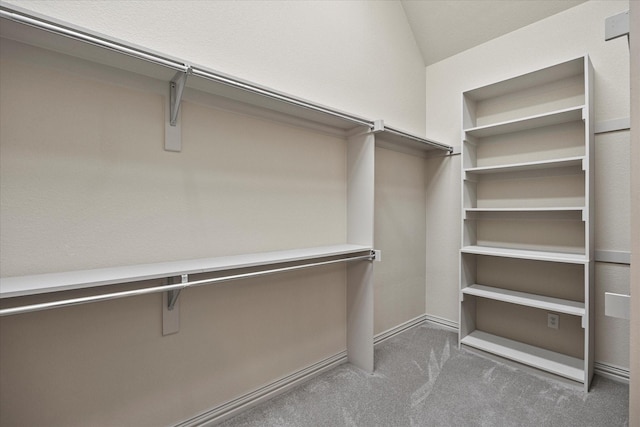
x: 443, y: 28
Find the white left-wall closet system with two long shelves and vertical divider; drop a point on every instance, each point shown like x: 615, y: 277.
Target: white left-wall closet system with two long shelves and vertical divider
x: 25, y: 32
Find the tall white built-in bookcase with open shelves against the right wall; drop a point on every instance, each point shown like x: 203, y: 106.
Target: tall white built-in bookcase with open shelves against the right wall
x: 527, y: 231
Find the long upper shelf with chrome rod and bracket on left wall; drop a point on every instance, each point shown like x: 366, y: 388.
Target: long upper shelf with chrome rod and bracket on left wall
x: 27, y: 27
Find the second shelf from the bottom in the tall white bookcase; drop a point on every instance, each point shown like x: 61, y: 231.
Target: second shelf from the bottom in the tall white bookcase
x: 558, y: 305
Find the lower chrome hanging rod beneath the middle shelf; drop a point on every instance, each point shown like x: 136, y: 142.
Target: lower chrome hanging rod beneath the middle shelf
x: 166, y: 288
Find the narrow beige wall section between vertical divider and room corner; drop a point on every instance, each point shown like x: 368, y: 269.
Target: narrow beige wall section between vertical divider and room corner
x: 400, y: 205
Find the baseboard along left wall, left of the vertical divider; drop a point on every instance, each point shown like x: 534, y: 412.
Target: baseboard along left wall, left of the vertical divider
x: 234, y: 407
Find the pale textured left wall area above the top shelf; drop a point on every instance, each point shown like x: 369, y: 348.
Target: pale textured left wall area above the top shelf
x: 358, y: 56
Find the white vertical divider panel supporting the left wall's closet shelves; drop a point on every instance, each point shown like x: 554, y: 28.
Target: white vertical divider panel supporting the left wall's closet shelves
x: 360, y: 226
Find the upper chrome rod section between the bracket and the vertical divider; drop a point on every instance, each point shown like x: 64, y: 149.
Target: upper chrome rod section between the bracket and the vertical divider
x: 209, y: 75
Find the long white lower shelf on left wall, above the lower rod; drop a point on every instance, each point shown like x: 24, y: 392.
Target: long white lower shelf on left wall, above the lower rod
x: 54, y: 282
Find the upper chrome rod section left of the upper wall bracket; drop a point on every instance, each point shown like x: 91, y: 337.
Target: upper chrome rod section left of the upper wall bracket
x: 95, y: 40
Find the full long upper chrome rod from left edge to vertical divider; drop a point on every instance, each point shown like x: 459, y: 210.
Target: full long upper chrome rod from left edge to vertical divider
x: 142, y: 54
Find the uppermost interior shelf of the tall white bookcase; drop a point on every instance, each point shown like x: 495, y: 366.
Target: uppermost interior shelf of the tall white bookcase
x: 531, y: 122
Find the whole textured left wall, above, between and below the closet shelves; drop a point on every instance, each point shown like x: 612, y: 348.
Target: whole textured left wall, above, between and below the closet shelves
x: 86, y: 184
